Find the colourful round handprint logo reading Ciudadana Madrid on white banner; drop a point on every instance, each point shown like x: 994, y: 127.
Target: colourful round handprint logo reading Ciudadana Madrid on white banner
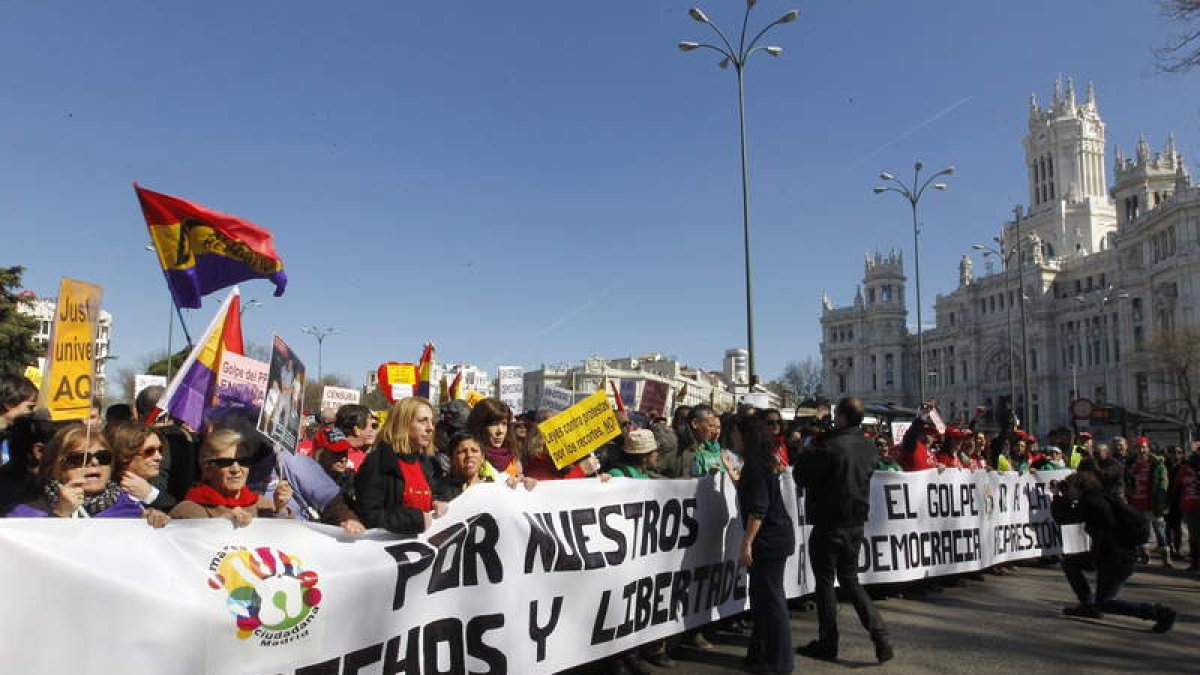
x: 269, y: 593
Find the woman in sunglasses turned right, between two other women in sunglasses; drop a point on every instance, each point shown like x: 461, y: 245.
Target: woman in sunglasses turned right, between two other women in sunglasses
x: 139, y: 453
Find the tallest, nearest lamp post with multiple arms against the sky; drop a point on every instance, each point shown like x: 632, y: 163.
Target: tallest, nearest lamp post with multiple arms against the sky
x: 739, y: 58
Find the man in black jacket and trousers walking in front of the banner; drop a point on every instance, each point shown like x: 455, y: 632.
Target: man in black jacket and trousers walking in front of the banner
x: 837, y: 477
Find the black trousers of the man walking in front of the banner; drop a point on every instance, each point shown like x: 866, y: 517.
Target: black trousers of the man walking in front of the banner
x: 835, y: 554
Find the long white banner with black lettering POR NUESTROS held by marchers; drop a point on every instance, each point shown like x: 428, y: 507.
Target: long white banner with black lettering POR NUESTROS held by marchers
x: 509, y: 582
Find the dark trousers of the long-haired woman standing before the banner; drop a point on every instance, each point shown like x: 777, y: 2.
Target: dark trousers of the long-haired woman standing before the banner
x: 771, y: 643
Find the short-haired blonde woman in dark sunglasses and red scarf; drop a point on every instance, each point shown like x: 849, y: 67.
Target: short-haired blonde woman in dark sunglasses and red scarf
x: 223, y: 492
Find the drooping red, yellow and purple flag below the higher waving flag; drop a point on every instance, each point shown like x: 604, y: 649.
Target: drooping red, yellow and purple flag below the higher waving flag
x: 193, y: 390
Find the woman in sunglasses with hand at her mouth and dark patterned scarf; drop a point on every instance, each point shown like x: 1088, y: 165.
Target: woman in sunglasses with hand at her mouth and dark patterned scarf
x: 76, y: 479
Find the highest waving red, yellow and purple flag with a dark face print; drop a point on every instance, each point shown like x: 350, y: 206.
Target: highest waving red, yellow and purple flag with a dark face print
x: 202, y: 252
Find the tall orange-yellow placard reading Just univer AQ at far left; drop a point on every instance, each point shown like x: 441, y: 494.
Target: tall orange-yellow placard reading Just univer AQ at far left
x: 71, y: 359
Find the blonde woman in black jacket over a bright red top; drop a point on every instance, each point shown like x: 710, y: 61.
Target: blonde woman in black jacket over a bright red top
x: 394, y: 485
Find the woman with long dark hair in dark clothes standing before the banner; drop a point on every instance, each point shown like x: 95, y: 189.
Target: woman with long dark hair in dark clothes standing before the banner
x: 770, y: 539
